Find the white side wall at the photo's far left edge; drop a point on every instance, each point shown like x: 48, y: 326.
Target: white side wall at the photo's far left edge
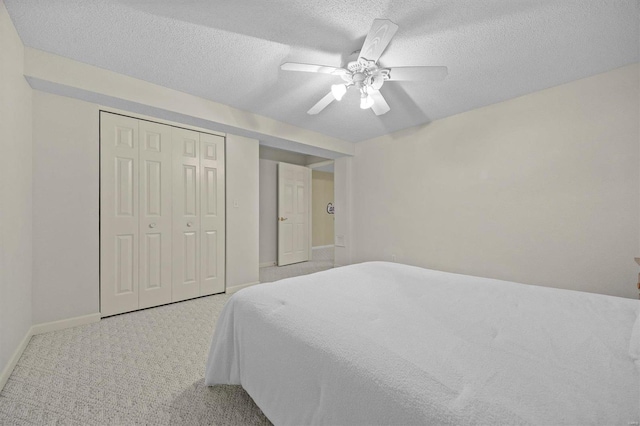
x: 15, y: 195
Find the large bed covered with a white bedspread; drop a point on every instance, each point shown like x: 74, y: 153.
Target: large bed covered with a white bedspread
x: 384, y: 343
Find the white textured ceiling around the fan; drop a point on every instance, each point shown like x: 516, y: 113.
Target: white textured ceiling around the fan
x: 230, y: 51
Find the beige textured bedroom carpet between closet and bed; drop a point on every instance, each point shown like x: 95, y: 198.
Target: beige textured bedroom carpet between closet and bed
x: 145, y: 367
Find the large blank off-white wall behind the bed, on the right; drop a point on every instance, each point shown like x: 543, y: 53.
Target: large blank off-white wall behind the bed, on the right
x: 541, y: 189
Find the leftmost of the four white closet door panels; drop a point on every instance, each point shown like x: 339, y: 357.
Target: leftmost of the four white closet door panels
x: 119, y: 236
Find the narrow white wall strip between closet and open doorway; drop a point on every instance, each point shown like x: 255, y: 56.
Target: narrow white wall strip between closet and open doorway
x: 243, y: 220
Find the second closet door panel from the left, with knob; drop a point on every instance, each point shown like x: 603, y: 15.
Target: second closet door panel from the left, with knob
x: 155, y: 214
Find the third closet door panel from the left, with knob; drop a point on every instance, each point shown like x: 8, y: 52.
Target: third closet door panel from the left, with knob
x: 186, y: 214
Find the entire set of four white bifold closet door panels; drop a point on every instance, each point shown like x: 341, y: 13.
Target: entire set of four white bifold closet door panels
x: 162, y: 214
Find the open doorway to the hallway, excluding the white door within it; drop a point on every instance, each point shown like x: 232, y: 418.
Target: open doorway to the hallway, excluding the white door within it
x: 321, y: 257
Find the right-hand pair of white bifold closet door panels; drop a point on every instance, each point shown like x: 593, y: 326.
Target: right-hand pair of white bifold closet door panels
x: 198, y: 214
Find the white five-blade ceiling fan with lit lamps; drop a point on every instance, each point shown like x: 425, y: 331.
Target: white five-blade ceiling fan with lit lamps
x: 365, y: 74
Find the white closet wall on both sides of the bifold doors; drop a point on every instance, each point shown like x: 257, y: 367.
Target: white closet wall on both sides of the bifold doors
x: 66, y: 230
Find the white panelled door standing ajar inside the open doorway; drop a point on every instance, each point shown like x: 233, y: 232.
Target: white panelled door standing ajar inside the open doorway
x: 294, y: 214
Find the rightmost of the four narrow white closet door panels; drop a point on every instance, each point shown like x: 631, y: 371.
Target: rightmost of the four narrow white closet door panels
x: 212, y: 214
